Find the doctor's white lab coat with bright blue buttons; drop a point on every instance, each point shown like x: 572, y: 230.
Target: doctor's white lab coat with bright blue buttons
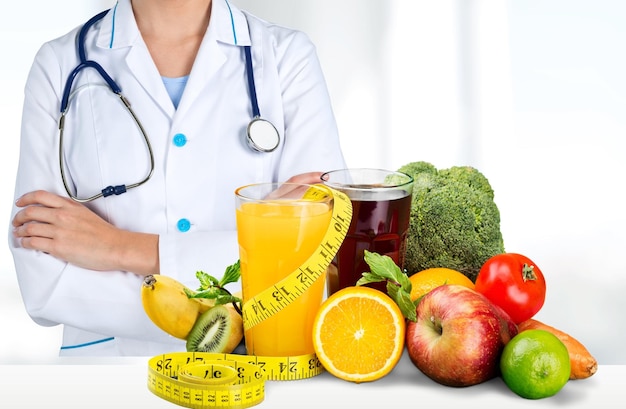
x: 195, y: 182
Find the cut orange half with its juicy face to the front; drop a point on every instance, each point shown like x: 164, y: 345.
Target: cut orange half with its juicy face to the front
x: 358, y: 334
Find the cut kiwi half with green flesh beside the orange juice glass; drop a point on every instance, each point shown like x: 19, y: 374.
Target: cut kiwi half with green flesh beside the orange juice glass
x: 211, y: 331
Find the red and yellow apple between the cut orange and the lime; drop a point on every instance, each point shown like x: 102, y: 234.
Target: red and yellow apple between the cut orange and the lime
x: 458, y: 337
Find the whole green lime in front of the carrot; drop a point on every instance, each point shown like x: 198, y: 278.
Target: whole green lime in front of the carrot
x: 535, y: 364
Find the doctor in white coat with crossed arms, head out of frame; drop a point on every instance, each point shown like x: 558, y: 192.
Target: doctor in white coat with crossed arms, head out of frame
x: 181, y: 65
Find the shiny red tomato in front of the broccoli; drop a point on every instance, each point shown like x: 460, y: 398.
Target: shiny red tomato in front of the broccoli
x: 514, y: 283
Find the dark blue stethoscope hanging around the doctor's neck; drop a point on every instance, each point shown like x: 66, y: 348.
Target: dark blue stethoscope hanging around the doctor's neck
x: 261, y: 134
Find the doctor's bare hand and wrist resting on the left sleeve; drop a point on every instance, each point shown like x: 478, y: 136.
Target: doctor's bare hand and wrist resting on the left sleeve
x: 71, y: 232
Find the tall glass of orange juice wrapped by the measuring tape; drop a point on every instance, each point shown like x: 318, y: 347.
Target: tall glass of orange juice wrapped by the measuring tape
x: 277, y: 231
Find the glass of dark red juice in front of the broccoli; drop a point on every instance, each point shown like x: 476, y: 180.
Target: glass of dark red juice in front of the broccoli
x: 381, y: 203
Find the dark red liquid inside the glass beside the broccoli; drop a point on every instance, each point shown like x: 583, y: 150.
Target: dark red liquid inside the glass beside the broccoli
x: 378, y: 226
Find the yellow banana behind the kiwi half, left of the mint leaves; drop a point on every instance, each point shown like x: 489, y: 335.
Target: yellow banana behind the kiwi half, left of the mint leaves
x: 166, y: 304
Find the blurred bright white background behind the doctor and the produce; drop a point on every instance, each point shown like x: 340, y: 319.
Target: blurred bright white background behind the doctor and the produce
x: 532, y: 93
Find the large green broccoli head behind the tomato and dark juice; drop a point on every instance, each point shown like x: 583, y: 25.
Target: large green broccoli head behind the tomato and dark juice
x: 455, y: 222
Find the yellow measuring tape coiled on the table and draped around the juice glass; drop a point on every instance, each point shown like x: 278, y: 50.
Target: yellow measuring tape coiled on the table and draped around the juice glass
x: 205, y: 380
